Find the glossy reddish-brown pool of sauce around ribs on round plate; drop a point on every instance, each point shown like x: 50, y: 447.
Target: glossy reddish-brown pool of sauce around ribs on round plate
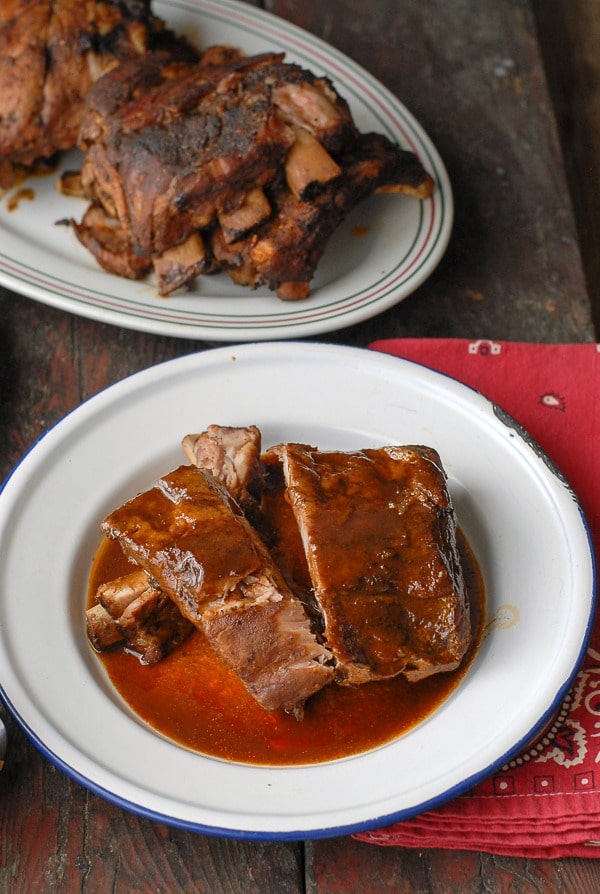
x: 193, y: 699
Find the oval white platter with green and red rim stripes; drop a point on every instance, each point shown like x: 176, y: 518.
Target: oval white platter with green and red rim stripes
x: 386, y: 248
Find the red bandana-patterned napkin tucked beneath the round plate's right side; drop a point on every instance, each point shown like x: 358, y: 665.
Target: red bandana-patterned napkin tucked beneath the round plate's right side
x: 546, y: 802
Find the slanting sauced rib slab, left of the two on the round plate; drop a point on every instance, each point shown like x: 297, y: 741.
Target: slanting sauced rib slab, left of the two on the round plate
x: 192, y: 538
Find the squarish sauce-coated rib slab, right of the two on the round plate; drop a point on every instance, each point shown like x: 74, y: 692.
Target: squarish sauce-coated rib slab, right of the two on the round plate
x: 379, y: 534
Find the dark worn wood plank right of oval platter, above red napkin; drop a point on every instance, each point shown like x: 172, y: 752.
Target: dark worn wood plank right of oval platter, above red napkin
x: 471, y: 73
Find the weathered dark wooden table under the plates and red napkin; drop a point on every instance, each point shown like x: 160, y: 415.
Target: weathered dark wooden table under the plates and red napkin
x: 470, y: 71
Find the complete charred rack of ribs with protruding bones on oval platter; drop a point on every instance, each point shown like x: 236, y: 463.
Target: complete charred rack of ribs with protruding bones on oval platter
x: 242, y: 164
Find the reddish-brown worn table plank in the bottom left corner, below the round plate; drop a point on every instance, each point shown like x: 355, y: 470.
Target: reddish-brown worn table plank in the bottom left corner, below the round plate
x: 56, y: 838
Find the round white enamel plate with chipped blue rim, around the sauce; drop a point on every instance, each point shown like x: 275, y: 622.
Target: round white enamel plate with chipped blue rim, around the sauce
x: 520, y: 516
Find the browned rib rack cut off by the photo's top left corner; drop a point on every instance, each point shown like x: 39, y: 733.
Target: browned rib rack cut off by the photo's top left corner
x: 51, y: 52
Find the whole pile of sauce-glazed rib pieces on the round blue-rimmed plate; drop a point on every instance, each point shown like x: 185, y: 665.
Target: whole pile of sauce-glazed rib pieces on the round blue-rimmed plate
x: 340, y: 567
